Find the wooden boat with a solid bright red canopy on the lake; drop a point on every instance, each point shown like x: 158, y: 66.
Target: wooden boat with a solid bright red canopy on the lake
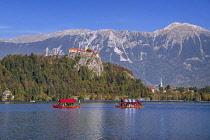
x: 67, y: 103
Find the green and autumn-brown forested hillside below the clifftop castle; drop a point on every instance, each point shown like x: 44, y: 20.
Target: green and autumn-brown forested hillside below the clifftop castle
x: 46, y: 78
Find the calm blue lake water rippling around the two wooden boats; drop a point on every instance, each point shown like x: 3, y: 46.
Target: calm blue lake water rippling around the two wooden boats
x: 157, y: 121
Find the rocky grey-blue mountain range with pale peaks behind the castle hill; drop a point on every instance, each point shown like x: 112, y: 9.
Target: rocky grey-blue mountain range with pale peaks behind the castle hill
x: 179, y: 53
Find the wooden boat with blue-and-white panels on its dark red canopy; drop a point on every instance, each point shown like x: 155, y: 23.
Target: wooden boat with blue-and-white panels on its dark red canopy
x: 129, y: 103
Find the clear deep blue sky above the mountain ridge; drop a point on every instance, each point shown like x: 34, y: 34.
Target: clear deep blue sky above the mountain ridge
x: 28, y: 17
